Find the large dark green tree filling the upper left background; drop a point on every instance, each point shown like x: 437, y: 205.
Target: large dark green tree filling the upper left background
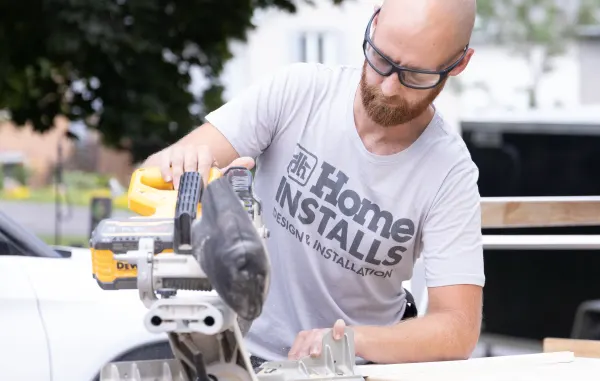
x: 121, y: 66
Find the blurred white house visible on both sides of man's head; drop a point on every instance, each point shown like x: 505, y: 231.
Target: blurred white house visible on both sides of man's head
x: 495, y: 79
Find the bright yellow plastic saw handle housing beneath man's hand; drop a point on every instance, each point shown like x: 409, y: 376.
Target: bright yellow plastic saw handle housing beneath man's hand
x: 150, y: 195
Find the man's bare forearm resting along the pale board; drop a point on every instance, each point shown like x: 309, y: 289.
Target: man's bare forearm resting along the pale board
x: 434, y: 337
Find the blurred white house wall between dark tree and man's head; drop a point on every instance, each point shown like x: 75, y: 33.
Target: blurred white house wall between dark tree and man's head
x: 275, y: 42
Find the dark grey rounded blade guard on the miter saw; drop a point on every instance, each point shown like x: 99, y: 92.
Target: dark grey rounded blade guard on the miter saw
x: 230, y: 250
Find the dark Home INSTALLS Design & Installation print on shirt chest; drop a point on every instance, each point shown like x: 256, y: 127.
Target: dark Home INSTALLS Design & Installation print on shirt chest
x: 346, y: 228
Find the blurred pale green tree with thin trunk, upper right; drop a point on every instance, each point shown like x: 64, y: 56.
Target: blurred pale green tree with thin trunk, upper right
x: 536, y: 30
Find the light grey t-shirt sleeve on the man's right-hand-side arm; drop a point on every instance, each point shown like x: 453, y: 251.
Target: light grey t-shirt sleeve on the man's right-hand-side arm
x: 452, y: 237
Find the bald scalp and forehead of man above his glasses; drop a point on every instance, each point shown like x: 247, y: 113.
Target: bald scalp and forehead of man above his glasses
x: 436, y: 28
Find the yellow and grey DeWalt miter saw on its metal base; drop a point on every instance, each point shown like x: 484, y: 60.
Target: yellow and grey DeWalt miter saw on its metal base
x: 197, y: 257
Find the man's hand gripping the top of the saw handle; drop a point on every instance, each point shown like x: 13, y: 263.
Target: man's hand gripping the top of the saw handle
x: 200, y: 150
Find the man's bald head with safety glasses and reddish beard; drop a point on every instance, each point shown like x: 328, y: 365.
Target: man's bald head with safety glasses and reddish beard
x: 416, y: 34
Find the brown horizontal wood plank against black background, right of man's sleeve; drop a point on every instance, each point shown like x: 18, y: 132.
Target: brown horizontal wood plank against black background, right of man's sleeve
x: 511, y: 212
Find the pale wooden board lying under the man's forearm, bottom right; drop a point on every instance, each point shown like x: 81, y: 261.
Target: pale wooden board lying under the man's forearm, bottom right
x: 558, y: 366
